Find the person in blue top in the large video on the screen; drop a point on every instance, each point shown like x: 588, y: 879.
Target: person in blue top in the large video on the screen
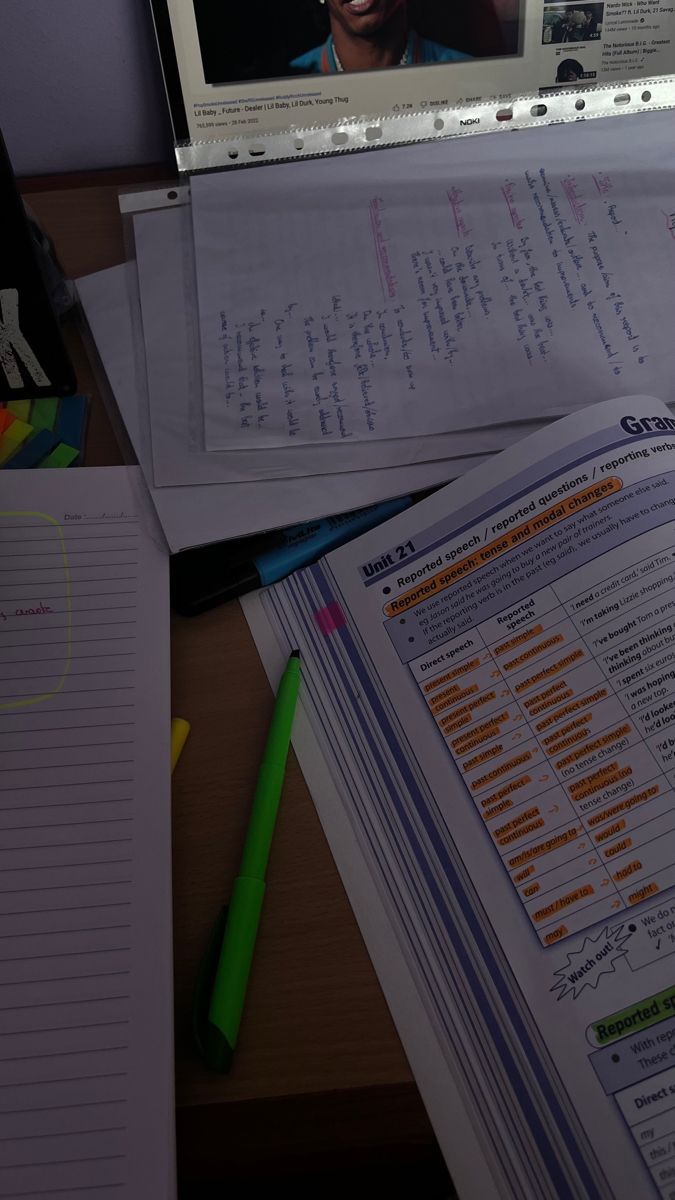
x: 367, y: 35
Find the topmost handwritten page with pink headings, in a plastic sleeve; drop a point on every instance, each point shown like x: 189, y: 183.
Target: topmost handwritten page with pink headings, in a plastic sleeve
x: 438, y: 287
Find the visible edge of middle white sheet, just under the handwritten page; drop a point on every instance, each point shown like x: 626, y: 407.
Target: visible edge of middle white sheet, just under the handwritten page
x: 169, y: 303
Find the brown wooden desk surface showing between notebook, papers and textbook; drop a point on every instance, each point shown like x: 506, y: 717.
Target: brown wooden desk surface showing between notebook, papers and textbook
x: 321, y: 1083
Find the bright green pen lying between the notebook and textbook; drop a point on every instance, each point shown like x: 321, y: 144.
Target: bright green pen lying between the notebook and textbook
x: 224, y: 979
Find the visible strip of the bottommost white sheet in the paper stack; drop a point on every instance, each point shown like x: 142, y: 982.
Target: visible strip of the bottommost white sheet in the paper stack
x: 193, y: 517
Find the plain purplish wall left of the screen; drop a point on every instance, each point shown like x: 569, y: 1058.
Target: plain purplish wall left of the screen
x: 81, y: 86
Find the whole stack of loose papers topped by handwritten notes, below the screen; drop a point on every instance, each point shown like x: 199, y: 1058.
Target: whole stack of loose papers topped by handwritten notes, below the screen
x: 304, y: 339
